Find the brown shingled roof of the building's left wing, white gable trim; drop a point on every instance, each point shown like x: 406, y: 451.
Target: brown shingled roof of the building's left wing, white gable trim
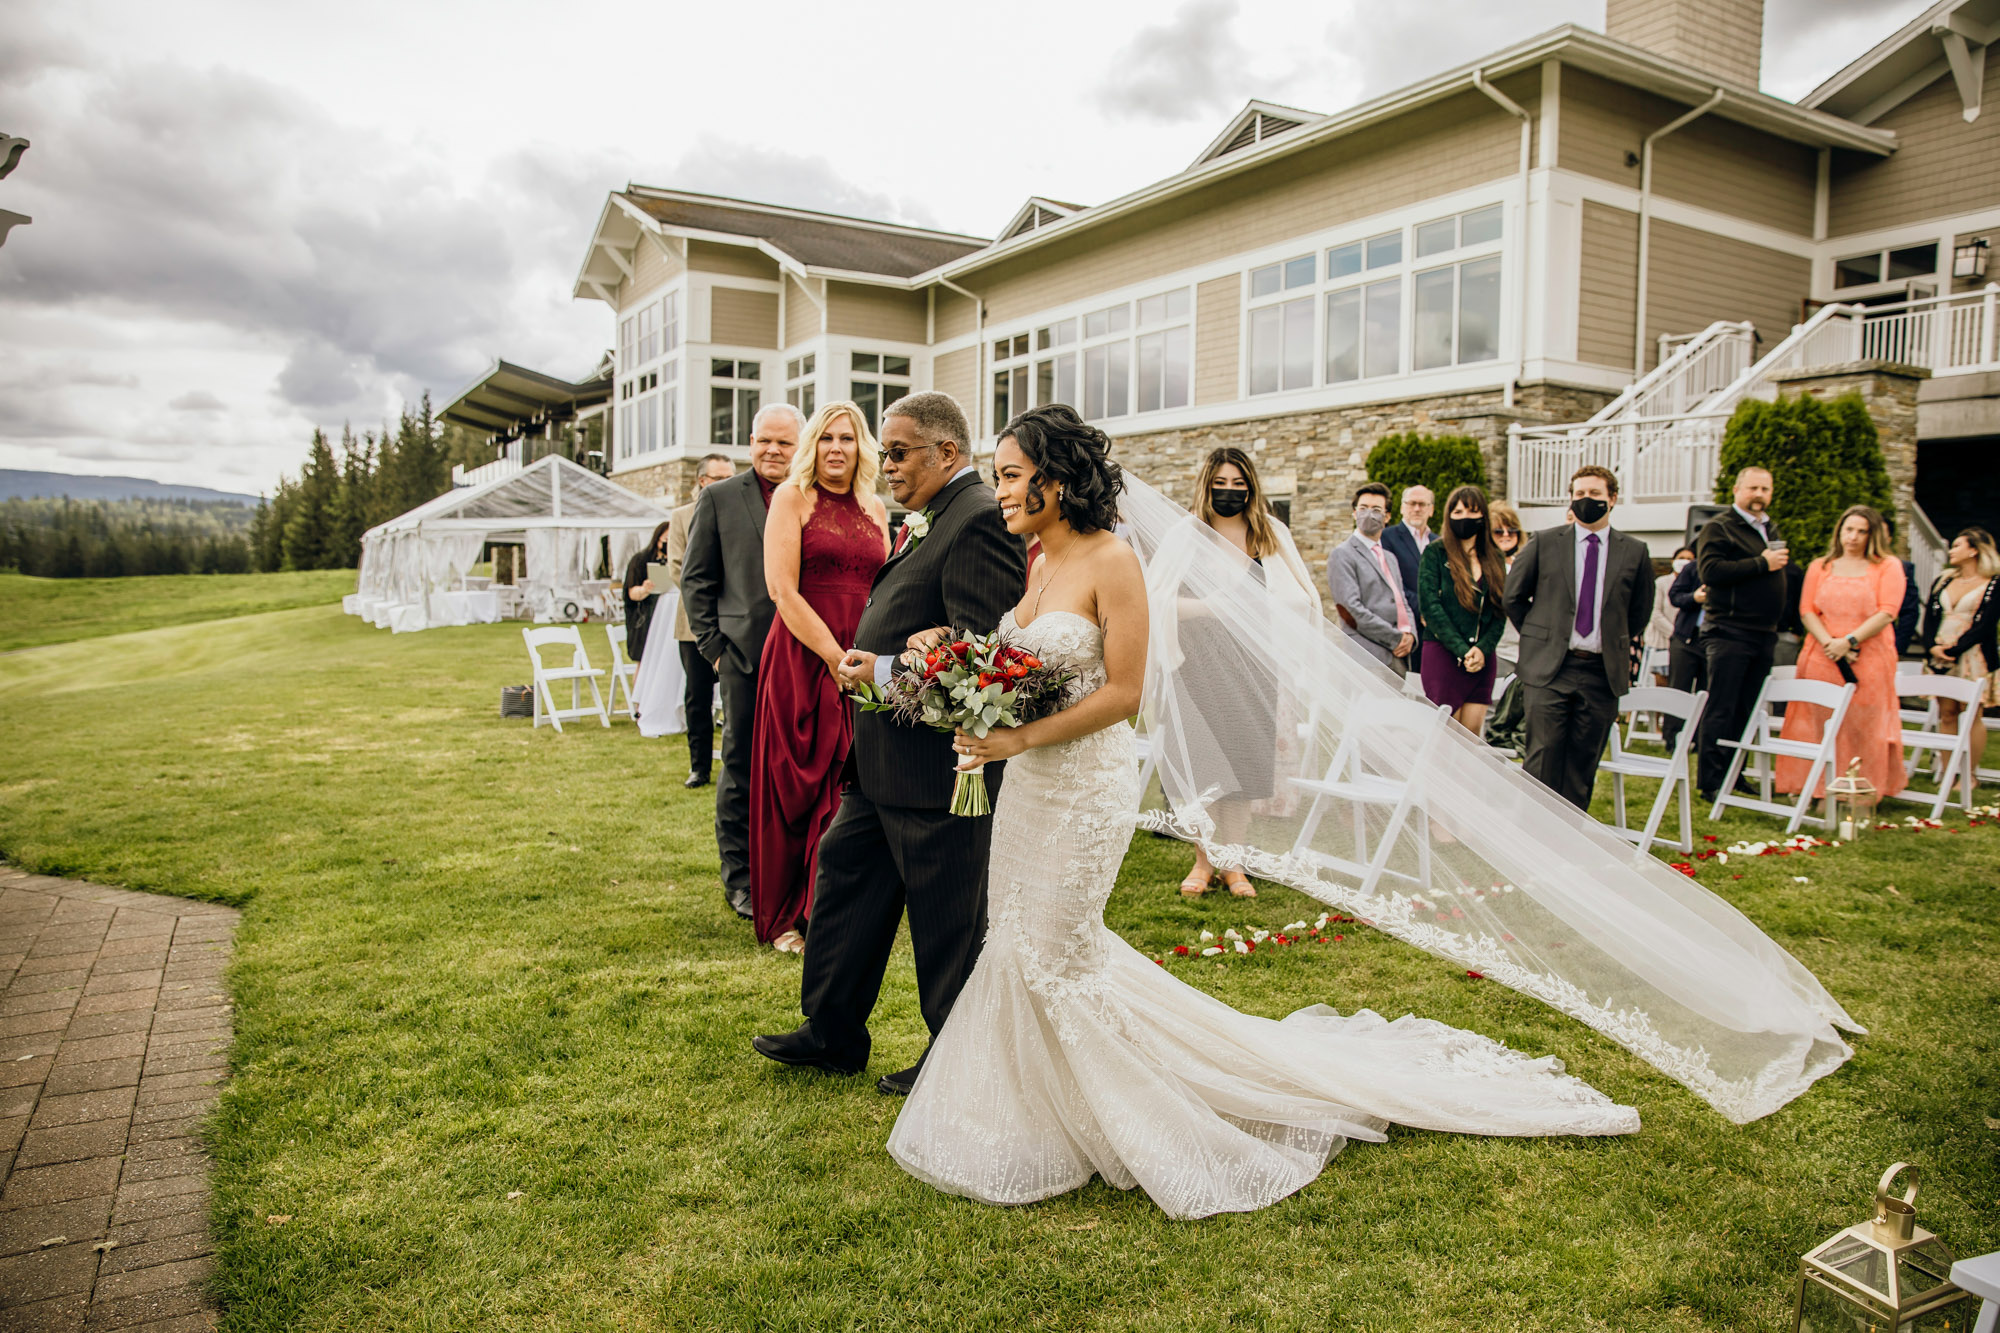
x: 799, y: 239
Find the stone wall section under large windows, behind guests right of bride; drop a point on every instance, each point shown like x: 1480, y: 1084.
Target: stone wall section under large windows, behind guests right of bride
x: 1323, y: 457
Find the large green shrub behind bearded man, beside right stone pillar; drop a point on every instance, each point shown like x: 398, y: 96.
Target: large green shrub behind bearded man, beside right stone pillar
x: 1823, y: 457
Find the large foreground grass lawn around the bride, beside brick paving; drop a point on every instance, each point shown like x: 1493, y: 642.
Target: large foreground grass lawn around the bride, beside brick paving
x: 481, y: 960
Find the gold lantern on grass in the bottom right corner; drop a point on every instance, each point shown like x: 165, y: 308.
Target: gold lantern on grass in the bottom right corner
x: 1883, y: 1276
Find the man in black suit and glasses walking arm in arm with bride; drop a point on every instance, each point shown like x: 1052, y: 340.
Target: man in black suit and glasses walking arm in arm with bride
x: 895, y: 842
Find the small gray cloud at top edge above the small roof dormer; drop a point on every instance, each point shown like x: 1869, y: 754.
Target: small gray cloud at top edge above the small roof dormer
x: 1183, y: 69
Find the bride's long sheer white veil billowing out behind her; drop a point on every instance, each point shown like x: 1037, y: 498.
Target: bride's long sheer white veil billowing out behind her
x: 1385, y: 810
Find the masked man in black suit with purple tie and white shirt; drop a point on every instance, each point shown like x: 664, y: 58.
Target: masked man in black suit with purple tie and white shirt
x: 1579, y: 597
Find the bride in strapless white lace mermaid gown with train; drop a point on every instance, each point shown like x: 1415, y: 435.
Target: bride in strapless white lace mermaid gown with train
x: 1069, y: 1054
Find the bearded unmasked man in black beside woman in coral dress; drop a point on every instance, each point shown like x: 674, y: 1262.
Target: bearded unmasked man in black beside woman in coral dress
x: 1747, y: 599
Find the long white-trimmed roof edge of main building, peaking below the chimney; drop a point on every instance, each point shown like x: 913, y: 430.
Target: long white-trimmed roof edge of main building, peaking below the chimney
x: 1577, y: 47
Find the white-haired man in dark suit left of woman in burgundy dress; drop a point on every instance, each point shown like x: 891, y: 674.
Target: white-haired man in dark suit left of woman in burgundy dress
x: 729, y: 611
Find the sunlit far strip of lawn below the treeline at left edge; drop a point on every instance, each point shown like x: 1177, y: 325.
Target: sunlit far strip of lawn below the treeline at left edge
x: 39, y: 611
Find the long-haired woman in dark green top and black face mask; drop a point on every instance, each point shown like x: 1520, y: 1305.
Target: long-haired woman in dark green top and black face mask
x: 1459, y: 589
